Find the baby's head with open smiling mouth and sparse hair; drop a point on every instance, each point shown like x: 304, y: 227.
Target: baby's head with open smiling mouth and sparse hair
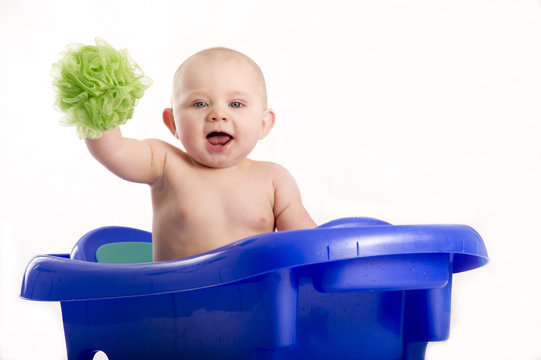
x: 219, y: 107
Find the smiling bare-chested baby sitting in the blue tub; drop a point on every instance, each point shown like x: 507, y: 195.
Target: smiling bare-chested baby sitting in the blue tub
x: 211, y: 194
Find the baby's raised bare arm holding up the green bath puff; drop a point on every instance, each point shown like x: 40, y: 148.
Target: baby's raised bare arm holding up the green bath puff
x: 133, y: 160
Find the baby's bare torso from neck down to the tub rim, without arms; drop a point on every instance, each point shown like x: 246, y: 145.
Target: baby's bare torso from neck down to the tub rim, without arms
x: 198, y: 209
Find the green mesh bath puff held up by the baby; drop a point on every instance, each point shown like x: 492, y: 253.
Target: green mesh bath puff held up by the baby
x: 97, y: 87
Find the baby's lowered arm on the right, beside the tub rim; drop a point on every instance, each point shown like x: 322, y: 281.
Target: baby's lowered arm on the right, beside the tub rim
x: 289, y: 211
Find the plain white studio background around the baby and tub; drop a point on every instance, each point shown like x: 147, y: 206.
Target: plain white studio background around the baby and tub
x: 409, y: 111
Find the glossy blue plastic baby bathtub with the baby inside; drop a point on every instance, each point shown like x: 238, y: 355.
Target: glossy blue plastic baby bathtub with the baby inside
x: 354, y: 288
